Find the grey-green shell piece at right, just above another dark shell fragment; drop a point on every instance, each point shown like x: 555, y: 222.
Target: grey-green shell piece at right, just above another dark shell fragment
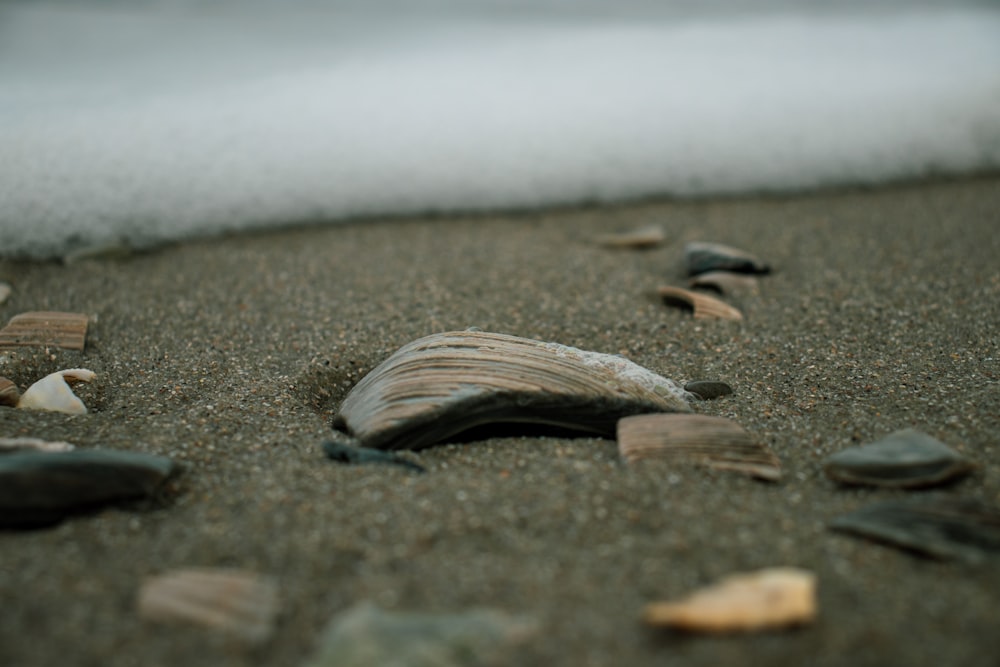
x: 904, y: 459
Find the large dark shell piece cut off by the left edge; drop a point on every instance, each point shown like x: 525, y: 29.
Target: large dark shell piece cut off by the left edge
x: 40, y: 488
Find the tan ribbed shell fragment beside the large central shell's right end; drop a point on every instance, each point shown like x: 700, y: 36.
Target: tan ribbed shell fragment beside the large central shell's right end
x: 715, y: 442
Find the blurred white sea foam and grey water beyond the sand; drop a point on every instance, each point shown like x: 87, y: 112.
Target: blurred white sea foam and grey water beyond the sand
x: 148, y: 122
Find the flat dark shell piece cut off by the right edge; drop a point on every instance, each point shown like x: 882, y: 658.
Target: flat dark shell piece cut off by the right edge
x: 939, y: 527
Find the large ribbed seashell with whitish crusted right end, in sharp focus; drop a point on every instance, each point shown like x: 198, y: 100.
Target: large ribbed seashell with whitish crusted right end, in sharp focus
x: 444, y: 384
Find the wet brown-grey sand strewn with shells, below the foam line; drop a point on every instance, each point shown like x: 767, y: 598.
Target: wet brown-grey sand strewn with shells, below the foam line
x: 231, y: 355
